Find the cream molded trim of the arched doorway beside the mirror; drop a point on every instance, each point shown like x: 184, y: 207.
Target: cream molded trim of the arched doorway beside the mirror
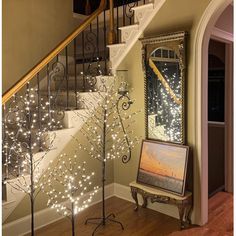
x: 201, y: 42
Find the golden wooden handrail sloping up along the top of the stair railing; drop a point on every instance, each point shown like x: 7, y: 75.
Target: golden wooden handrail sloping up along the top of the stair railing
x: 33, y: 72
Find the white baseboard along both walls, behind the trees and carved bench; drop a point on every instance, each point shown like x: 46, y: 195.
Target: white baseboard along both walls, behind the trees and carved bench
x: 48, y: 216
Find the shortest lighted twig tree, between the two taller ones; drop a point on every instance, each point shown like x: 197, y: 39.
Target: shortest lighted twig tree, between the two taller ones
x: 66, y: 185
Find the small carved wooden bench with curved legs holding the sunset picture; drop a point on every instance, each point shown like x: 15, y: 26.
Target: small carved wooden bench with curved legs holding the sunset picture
x: 184, y: 203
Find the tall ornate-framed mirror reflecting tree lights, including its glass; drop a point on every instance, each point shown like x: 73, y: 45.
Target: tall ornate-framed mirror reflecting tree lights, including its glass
x: 164, y: 70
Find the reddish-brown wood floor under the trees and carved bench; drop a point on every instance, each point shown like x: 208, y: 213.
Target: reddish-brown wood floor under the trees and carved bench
x: 147, y: 222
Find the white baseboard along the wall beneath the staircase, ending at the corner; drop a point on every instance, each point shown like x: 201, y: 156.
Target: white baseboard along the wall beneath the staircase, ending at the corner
x: 45, y: 217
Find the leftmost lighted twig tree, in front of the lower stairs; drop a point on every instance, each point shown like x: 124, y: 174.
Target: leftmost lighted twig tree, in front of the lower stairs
x: 28, y: 124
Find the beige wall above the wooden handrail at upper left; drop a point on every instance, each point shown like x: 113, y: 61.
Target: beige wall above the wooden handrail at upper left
x: 30, y: 30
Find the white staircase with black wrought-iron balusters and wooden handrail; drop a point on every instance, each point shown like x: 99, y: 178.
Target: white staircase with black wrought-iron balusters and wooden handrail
x: 71, y: 74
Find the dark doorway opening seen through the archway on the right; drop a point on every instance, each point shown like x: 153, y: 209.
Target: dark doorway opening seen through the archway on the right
x: 216, y: 117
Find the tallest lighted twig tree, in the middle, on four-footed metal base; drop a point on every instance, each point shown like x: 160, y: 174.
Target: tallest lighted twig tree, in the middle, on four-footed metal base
x: 107, y: 131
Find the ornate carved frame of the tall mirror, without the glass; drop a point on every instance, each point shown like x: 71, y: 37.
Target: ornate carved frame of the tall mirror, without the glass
x: 177, y: 42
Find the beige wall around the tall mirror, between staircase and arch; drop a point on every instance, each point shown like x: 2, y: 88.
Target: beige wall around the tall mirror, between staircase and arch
x: 173, y: 16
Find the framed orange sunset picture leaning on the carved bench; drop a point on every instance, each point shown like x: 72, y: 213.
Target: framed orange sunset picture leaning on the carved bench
x: 163, y: 165
